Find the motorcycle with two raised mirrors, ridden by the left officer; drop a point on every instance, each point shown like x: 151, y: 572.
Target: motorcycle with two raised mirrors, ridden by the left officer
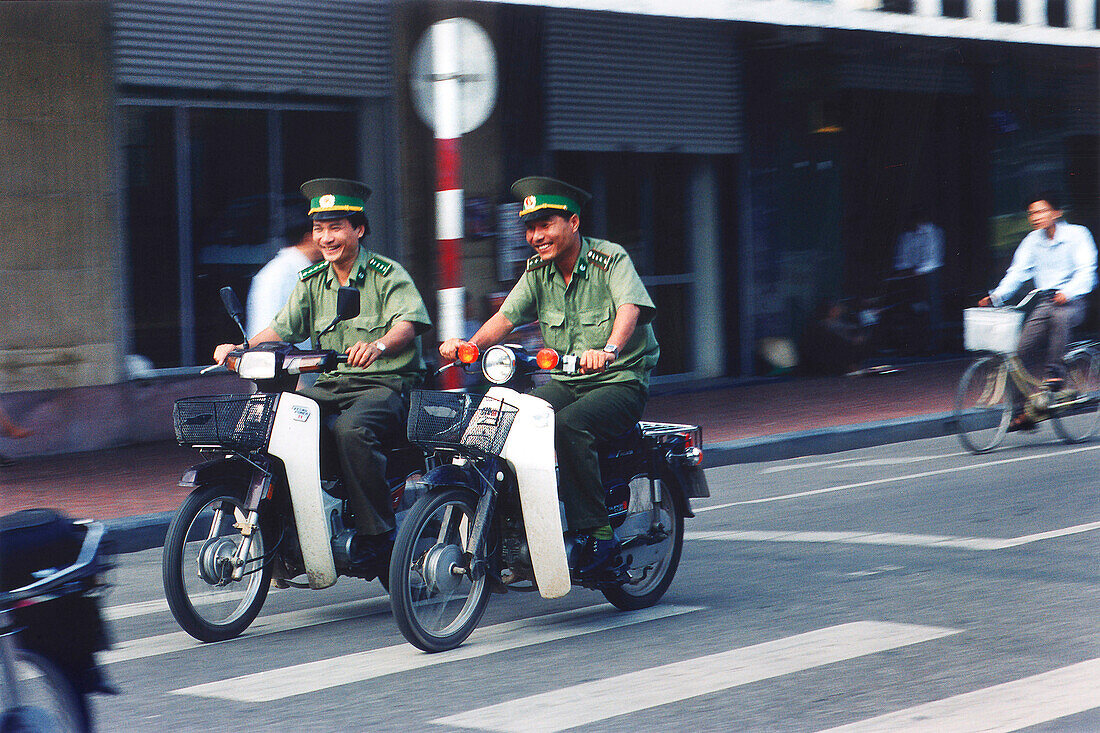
x: 268, y: 505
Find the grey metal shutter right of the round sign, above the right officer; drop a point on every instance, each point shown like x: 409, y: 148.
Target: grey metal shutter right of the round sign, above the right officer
x: 617, y: 82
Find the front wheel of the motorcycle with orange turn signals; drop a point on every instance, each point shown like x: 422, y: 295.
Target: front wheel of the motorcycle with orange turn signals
x: 436, y: 604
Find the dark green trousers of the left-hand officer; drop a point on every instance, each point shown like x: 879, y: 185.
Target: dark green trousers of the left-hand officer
x: 369, y: 418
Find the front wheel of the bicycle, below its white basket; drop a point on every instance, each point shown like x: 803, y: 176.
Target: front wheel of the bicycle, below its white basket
x: 984, y: 404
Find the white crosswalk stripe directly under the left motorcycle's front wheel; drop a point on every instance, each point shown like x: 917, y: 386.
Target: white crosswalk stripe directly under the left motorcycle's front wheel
x: 152, y: 647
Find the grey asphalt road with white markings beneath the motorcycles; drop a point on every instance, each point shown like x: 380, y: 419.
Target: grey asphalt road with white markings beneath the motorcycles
x: 907, y: 587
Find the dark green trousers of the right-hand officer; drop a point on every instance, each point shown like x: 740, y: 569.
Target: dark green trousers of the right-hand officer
x: 584, y: 417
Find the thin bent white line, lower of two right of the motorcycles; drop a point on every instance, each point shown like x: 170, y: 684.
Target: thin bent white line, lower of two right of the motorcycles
x: 887, y: 539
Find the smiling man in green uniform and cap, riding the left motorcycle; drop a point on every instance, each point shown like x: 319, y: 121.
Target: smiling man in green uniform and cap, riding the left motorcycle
x: 370, y: 393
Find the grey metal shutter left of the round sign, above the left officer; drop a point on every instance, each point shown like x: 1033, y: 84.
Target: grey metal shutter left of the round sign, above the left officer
x: 339, y: 48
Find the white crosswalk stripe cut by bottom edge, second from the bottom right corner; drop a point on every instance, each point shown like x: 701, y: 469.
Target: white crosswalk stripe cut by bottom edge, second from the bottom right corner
x: 599, y: 701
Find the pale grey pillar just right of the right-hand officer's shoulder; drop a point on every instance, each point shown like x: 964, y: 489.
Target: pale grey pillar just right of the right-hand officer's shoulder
x: 705, y: 246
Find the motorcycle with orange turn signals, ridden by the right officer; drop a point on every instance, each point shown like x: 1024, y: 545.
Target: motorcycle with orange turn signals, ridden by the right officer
x: 489, y: 519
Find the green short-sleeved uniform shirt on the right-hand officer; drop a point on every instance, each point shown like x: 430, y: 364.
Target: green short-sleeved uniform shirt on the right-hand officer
x: 580, y: 318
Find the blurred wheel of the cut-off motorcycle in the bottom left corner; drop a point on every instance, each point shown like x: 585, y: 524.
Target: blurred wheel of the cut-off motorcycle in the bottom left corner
x: 49, y: 702
